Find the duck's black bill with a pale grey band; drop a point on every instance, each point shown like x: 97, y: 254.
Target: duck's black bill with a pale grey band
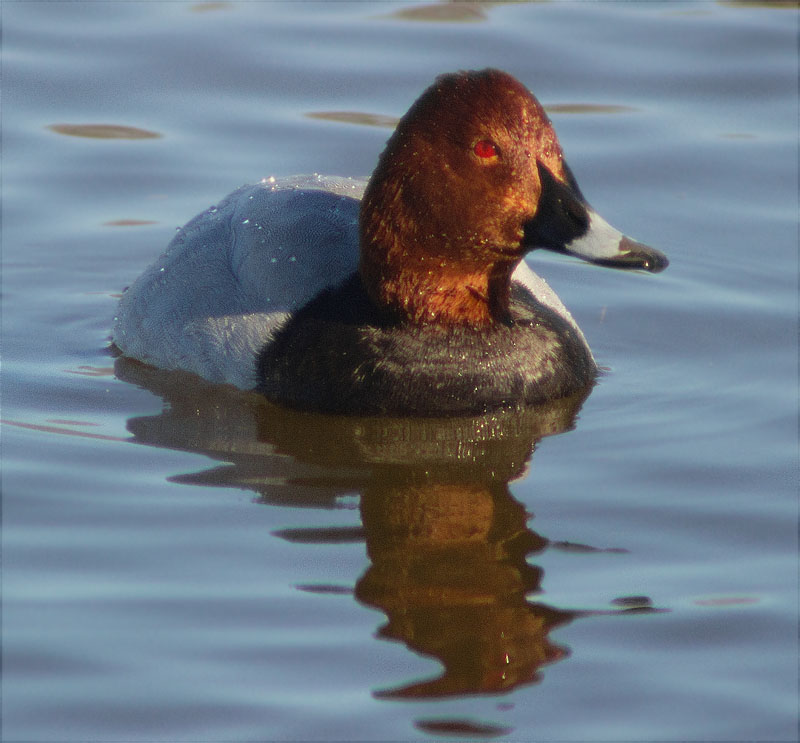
x: 565, y: 223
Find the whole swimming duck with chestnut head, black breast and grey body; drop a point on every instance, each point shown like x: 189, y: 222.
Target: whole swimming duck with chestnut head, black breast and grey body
x: 406, y: 294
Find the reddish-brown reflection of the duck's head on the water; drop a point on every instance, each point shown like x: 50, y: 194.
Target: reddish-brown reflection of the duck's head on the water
x: 449, y: 570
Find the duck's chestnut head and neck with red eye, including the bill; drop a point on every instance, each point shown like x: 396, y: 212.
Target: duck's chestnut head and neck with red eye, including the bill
x: 472, y: 179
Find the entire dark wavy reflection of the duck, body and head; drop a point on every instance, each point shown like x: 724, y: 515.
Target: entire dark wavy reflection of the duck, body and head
x: 449, y: 546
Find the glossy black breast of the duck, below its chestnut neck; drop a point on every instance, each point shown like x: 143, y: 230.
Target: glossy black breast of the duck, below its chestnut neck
x: 337, y: 355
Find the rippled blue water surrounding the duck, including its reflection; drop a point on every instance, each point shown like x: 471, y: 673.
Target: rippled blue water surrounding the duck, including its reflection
x: 182, y: 562
